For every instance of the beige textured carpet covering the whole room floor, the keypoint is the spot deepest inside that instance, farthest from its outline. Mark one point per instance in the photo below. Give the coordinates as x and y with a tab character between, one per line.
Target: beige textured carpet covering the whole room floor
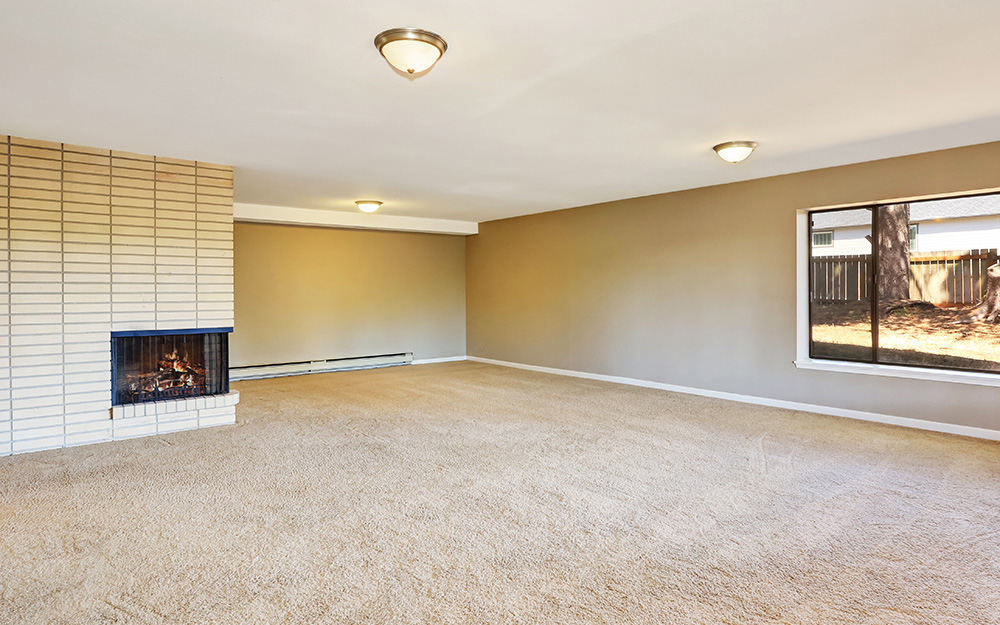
467	493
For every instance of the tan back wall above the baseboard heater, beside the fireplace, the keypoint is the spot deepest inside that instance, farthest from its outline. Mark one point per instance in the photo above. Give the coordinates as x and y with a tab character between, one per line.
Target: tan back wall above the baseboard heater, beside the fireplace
312	293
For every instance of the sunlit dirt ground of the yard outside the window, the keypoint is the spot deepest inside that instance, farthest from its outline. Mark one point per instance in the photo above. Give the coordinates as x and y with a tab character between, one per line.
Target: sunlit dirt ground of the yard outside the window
907	336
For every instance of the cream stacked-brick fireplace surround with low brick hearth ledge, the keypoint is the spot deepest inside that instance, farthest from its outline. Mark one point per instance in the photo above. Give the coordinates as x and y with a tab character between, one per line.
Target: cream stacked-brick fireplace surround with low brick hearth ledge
94	241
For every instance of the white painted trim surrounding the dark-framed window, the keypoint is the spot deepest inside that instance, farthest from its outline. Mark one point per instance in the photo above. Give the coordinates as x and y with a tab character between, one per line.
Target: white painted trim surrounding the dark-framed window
802	359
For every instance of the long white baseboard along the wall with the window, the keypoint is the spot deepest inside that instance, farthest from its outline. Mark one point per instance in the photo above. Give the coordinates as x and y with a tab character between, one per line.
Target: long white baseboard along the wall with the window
933	426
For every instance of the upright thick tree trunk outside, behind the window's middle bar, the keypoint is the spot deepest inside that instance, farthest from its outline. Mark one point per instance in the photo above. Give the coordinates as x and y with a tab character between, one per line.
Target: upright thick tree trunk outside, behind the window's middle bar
893	279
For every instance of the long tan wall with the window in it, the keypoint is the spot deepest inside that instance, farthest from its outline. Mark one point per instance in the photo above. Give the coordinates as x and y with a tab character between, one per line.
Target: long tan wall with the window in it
697	288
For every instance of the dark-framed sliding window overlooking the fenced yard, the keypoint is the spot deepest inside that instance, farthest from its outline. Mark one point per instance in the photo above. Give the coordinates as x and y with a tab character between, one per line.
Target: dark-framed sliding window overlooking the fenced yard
880	301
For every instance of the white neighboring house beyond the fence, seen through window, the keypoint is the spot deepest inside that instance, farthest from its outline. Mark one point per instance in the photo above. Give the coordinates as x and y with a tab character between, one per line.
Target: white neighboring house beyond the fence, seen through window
970	223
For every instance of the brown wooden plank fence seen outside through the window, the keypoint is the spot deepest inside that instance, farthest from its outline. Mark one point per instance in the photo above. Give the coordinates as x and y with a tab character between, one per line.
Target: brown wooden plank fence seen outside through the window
956	278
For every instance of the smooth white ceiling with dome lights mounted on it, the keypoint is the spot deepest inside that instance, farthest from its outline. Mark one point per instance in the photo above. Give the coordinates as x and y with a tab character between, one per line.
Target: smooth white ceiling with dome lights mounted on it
537	105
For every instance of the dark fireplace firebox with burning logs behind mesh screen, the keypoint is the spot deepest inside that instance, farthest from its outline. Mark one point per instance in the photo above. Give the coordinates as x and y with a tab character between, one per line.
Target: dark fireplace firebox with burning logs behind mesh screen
156	365
